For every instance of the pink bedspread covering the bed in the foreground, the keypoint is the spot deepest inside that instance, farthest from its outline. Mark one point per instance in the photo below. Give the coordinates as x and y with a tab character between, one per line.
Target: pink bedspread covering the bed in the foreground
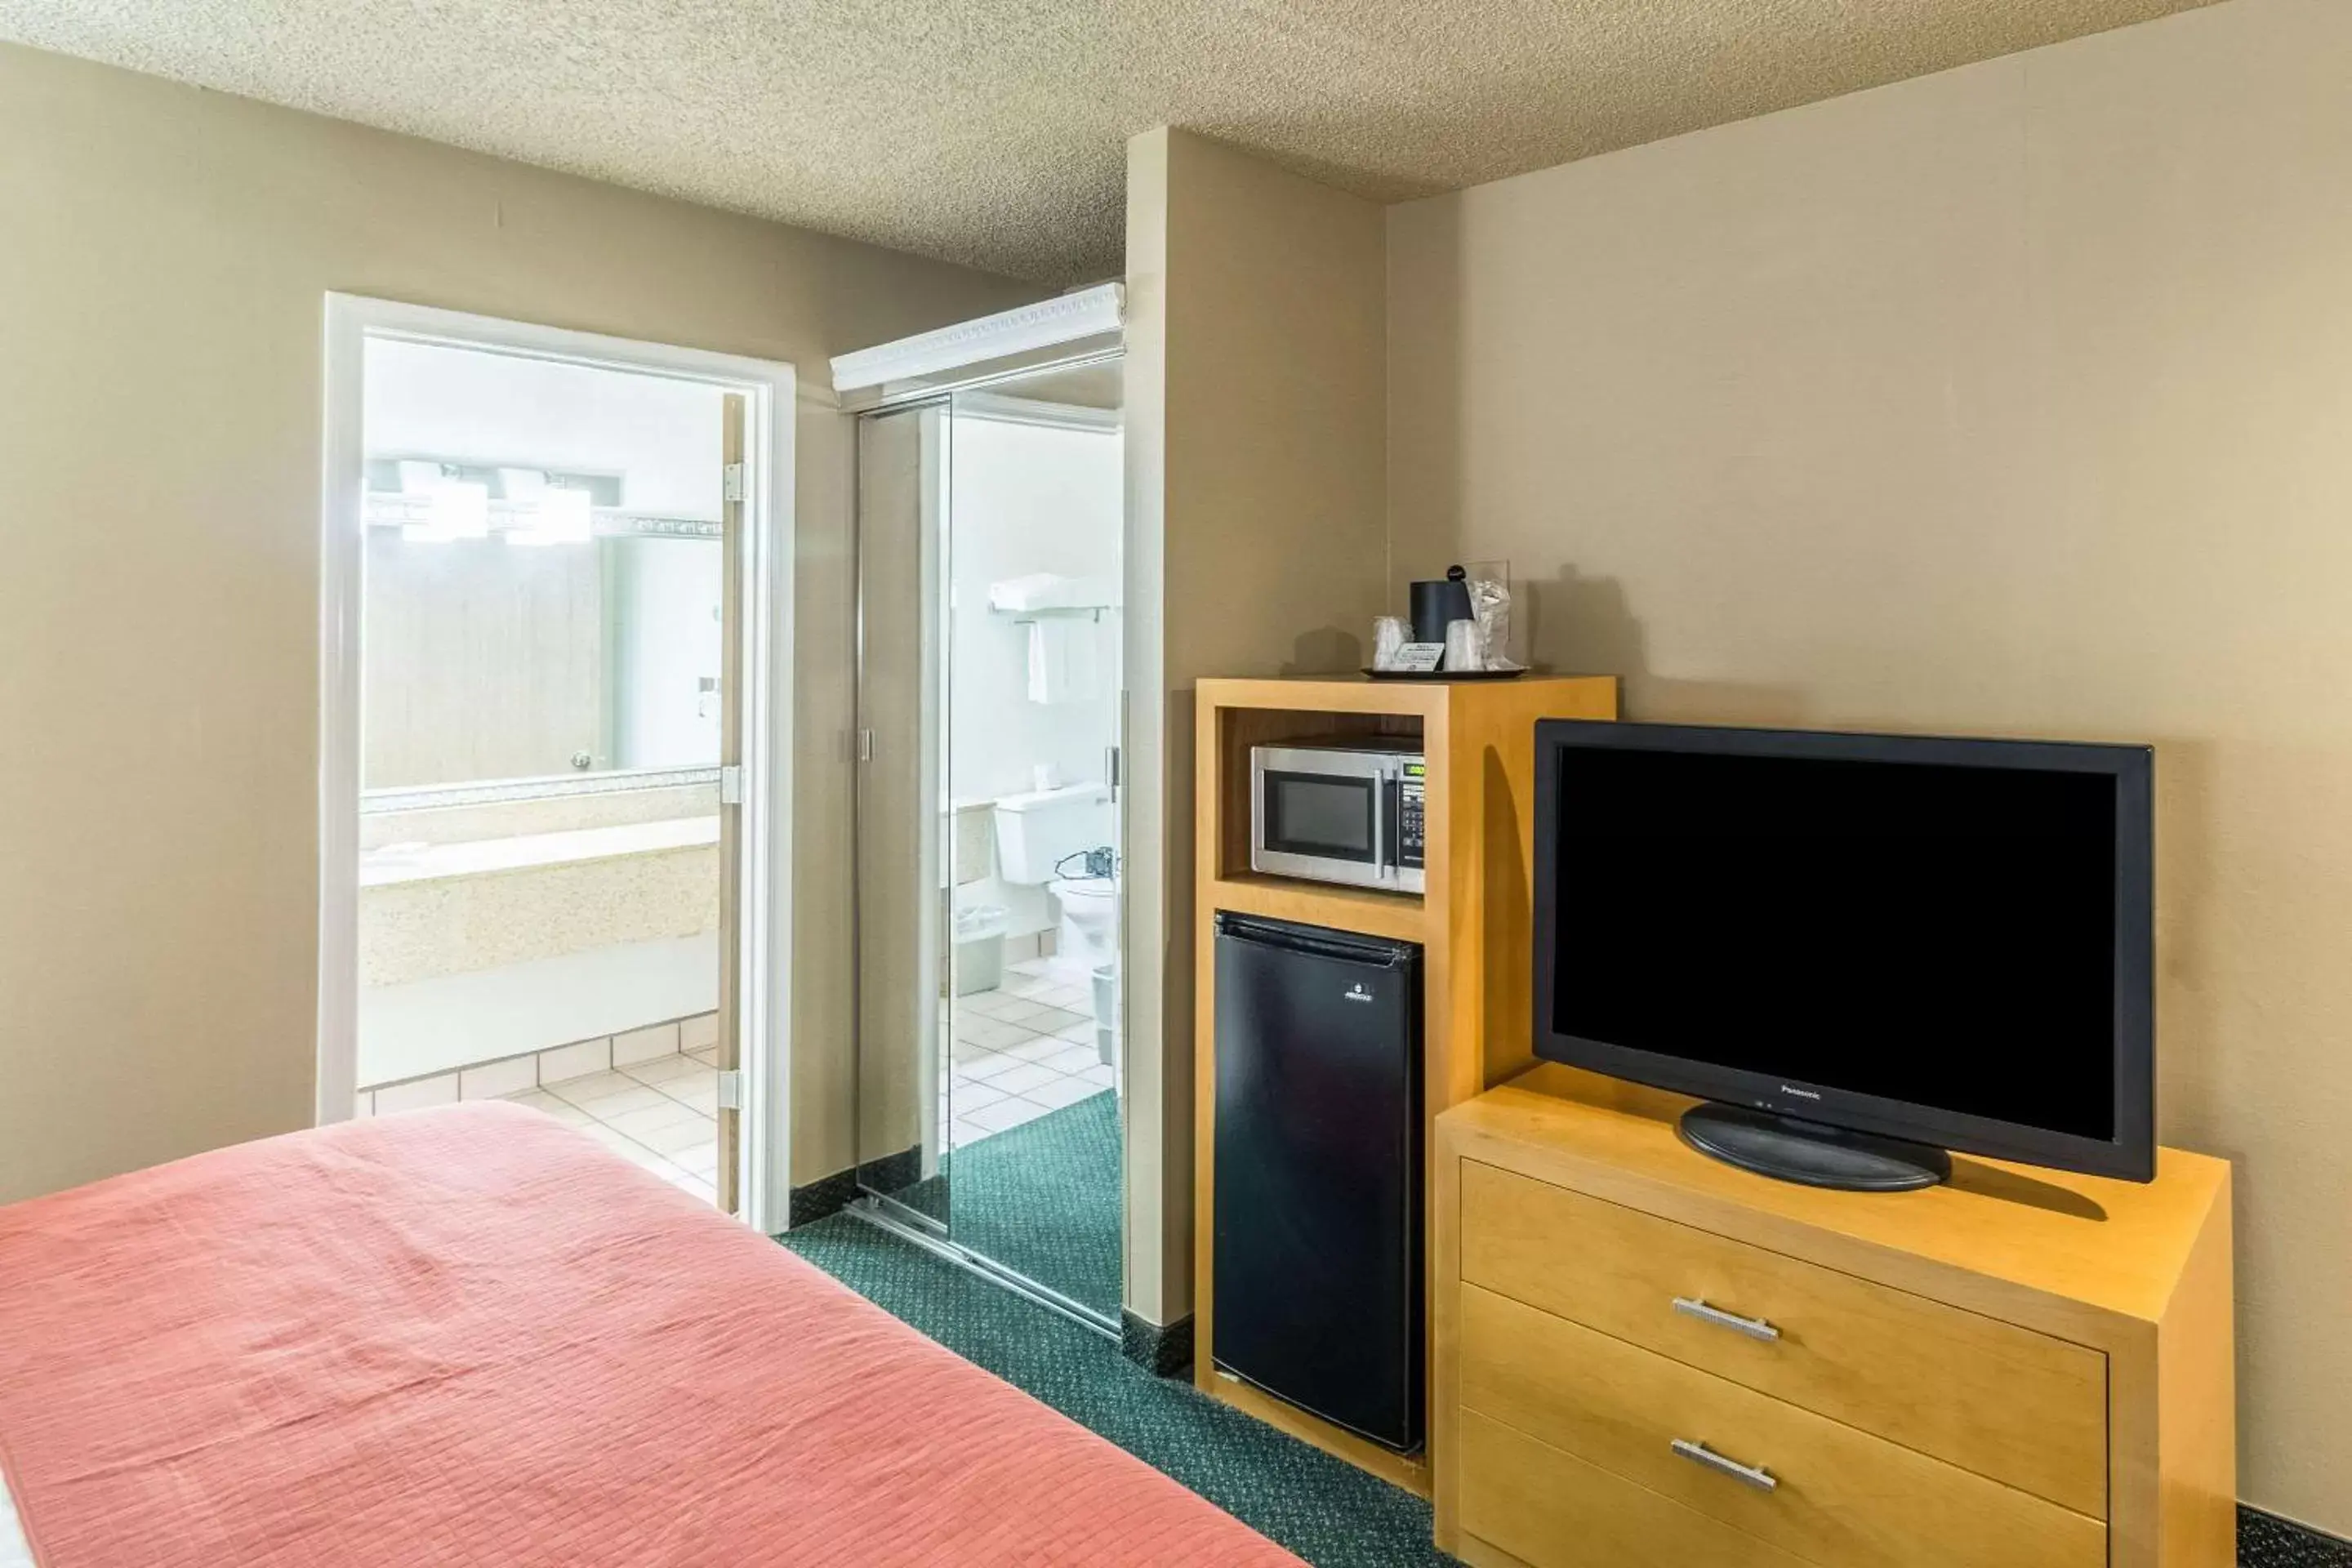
474	1336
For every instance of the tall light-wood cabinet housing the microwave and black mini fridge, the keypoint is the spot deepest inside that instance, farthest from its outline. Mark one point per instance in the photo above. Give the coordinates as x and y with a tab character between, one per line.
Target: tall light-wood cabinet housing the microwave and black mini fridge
1471	923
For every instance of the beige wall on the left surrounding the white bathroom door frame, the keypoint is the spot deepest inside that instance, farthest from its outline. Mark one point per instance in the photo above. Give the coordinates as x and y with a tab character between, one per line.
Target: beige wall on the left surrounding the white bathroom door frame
163	262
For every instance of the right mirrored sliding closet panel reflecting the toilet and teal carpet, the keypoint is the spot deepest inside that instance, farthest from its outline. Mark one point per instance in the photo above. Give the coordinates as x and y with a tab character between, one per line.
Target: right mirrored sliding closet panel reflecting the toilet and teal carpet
1034	629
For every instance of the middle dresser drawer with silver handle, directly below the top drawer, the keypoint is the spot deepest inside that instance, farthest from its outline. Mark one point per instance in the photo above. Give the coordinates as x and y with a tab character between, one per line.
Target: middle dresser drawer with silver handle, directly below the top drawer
1833	1494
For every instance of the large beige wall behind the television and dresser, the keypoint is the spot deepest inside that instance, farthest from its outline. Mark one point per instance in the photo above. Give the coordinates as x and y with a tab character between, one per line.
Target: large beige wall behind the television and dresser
2010	401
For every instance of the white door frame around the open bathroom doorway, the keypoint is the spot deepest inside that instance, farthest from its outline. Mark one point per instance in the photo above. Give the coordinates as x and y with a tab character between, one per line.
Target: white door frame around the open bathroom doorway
766	934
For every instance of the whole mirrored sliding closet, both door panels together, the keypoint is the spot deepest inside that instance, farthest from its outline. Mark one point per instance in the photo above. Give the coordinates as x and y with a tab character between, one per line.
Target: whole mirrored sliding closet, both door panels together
991	525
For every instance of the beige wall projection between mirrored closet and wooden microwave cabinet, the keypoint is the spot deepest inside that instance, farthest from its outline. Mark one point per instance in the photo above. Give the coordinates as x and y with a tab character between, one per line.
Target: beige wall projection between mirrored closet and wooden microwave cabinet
1255	427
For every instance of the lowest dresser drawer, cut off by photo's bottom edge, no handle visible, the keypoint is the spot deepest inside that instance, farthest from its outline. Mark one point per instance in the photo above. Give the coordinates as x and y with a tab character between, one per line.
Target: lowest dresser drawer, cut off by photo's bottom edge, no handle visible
1551	1510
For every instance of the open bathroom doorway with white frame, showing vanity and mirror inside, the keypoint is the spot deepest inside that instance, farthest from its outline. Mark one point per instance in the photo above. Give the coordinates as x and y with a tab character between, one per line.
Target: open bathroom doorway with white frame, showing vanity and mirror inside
549	732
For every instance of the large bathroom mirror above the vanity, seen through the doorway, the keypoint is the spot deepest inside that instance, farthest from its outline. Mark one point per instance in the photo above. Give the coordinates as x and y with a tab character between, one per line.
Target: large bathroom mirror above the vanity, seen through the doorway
542	570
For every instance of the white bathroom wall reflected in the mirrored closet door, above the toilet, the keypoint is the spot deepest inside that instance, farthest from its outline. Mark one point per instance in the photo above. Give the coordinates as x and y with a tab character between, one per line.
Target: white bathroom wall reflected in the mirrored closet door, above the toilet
1029	500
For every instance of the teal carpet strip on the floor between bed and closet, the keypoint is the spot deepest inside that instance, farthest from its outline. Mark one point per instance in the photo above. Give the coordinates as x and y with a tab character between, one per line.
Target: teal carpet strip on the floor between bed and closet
1321	1508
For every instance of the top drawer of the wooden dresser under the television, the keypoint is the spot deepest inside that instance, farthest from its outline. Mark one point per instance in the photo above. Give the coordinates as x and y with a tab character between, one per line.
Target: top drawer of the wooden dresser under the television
1989	1398
